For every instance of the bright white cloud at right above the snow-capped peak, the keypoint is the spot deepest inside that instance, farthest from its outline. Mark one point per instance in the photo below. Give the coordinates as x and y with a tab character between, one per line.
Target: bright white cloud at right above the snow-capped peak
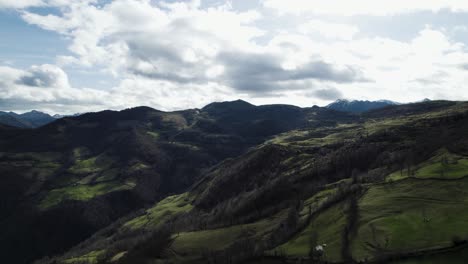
426	66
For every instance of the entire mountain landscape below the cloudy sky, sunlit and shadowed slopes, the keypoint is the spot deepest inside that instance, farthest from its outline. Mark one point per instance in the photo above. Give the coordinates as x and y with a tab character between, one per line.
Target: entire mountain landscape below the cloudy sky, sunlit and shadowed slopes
237	183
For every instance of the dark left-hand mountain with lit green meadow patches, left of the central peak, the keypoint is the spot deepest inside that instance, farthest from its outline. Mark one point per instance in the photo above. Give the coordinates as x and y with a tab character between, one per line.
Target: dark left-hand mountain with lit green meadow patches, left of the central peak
87	171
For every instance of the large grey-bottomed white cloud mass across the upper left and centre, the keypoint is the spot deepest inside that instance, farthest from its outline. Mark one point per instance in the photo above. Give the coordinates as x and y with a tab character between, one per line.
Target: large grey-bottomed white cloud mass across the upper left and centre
185	44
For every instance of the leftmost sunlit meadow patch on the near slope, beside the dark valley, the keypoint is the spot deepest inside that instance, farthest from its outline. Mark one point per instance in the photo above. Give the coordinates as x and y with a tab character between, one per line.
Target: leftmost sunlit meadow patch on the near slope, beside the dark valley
161	212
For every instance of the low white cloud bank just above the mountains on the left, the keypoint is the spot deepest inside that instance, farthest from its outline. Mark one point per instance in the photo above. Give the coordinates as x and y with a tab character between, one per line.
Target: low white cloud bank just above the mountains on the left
46	88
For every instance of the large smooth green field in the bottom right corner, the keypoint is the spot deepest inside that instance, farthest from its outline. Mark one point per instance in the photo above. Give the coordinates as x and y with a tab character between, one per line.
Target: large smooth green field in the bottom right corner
411	215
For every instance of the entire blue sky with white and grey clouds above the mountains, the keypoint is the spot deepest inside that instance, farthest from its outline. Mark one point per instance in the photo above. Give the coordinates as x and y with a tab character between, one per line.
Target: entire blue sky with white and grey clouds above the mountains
74	56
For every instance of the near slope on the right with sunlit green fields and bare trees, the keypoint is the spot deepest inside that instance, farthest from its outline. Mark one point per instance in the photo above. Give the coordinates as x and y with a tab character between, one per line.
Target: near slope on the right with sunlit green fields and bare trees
319	185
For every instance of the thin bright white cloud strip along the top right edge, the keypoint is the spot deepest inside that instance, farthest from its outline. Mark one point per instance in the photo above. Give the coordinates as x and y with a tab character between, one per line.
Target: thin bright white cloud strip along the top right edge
364	7
